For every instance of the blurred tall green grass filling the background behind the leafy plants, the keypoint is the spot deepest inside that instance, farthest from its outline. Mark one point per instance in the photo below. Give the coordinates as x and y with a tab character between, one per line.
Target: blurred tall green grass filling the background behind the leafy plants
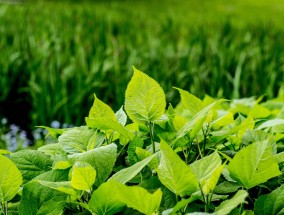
54	55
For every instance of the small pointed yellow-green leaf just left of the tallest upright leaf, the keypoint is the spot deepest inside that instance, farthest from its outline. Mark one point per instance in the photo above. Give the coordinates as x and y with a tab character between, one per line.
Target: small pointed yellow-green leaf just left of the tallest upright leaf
101	110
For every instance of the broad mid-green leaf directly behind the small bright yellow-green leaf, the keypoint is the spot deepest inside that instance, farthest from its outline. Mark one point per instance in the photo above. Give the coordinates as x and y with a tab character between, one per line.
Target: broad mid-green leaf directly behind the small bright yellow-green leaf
102	159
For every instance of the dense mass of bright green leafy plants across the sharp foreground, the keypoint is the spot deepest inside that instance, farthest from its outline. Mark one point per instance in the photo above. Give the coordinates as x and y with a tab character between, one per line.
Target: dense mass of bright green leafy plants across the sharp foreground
210	156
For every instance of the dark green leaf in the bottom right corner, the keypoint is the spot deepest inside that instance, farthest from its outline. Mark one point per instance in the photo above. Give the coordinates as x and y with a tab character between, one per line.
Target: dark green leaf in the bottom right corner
271	203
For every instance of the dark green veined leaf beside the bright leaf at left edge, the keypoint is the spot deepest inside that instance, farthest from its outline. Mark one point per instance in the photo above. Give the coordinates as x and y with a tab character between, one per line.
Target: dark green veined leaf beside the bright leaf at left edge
31	163
